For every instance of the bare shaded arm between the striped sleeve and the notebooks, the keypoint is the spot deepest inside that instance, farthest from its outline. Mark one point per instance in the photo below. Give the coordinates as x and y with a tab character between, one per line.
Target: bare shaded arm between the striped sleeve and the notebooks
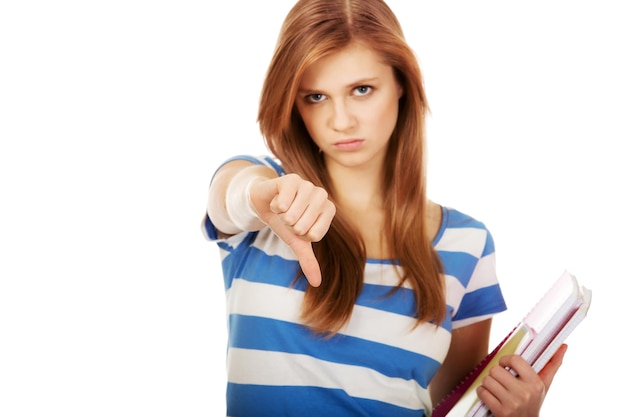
469	345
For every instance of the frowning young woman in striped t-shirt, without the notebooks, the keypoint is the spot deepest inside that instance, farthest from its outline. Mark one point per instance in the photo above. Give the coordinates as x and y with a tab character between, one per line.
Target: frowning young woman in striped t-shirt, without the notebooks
349	293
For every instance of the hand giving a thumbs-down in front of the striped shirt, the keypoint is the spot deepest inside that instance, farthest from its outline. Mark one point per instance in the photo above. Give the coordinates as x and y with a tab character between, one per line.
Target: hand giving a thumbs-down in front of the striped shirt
299	213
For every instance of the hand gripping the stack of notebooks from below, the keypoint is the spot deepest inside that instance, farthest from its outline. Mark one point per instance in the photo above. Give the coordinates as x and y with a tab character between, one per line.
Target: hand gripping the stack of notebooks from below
507	395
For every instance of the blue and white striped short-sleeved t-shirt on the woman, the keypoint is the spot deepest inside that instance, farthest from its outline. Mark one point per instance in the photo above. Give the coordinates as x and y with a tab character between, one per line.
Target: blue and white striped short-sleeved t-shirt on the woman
378	364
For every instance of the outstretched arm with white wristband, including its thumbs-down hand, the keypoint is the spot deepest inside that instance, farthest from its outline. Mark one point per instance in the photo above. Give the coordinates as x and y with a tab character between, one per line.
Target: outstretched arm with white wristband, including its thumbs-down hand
246	197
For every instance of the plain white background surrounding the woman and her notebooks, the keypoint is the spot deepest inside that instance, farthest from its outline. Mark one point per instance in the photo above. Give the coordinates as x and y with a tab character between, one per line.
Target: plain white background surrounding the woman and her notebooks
113	116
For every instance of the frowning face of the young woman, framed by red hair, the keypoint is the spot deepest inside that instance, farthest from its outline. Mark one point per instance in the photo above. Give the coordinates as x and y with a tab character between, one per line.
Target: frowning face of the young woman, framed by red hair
349	104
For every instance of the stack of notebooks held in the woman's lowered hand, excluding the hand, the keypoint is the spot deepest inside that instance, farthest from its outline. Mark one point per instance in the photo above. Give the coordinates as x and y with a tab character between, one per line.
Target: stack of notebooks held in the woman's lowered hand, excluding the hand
536	338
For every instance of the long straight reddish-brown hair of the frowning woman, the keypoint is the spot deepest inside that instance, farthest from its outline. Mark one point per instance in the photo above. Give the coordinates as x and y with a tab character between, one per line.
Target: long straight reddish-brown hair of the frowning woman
314	29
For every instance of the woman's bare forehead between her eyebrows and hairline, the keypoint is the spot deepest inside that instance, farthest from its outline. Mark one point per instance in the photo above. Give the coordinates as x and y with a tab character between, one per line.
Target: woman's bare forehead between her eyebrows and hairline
348	65
